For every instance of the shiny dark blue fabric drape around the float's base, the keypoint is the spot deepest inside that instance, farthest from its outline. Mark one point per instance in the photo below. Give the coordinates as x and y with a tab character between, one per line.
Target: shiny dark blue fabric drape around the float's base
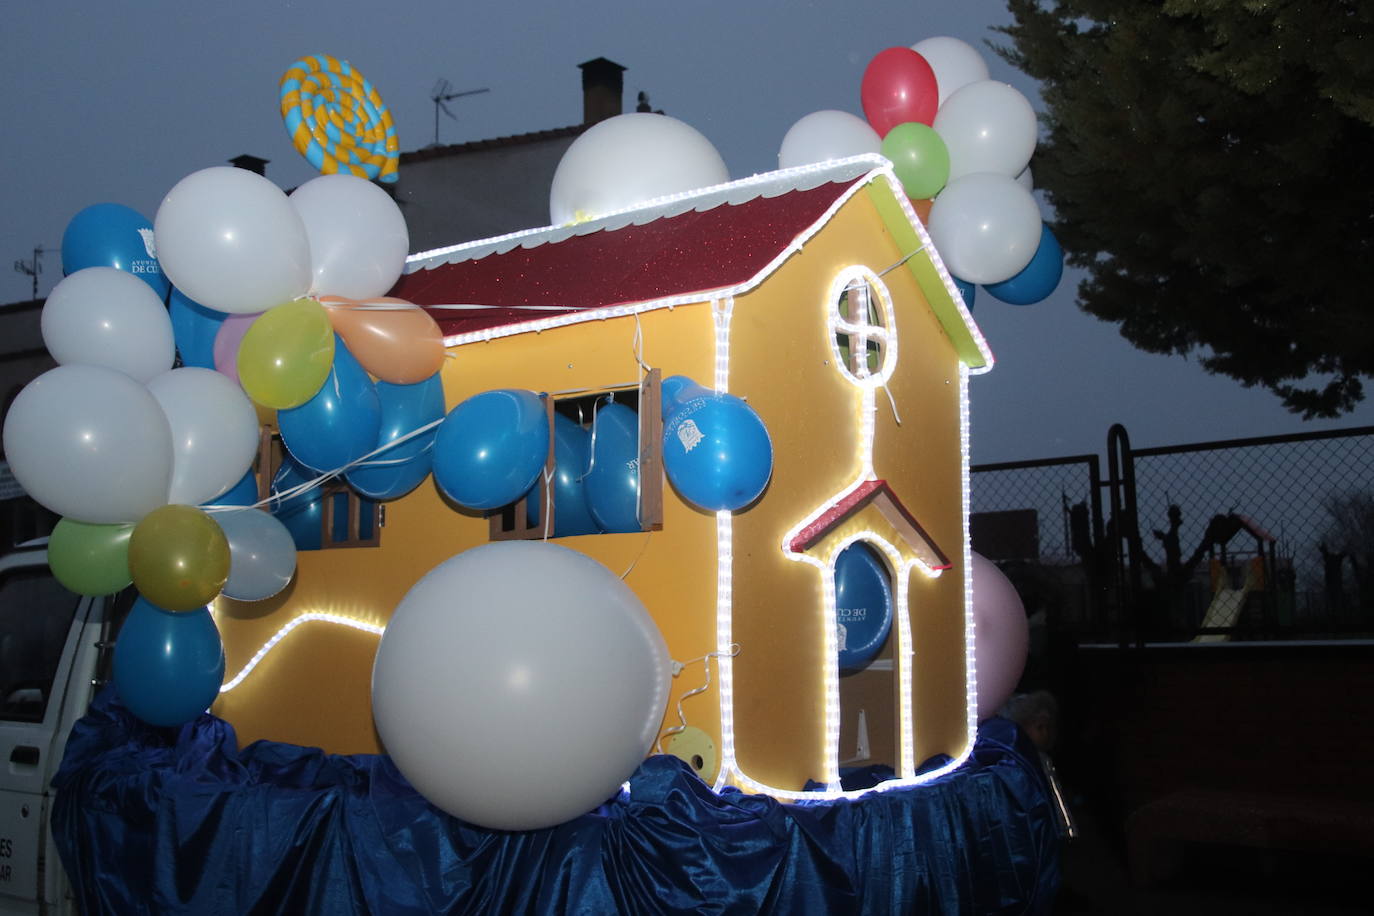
183	822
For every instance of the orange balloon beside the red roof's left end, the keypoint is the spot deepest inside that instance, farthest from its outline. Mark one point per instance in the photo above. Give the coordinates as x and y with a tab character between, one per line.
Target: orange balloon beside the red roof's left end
394	340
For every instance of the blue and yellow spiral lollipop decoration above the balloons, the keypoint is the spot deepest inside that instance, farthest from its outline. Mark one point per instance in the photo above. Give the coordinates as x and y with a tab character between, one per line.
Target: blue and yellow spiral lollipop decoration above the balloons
337	120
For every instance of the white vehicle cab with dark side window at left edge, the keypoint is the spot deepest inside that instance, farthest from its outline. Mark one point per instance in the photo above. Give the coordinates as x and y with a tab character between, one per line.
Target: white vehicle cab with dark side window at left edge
53	659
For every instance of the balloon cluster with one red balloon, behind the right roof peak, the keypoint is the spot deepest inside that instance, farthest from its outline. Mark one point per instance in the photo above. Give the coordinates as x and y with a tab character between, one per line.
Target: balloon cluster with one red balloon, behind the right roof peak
961	145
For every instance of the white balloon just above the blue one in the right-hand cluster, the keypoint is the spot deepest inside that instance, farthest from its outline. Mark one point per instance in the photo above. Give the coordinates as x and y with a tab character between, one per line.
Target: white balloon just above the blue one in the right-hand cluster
986	227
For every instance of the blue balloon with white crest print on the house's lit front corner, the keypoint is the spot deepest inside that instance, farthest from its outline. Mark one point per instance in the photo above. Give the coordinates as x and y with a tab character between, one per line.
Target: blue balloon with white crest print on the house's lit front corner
717	450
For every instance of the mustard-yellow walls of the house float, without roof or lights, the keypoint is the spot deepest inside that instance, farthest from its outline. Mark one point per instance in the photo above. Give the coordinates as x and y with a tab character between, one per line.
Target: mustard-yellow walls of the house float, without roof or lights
315	687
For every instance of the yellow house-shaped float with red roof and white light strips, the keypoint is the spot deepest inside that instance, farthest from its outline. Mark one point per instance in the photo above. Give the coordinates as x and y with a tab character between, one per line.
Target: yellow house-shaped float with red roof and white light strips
817	297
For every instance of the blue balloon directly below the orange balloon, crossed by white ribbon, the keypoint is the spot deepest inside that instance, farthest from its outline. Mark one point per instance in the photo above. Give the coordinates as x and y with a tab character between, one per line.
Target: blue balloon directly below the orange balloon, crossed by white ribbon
403	468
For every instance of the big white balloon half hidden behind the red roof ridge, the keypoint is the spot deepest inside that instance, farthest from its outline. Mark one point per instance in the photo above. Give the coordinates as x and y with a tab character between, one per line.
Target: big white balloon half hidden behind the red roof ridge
629	160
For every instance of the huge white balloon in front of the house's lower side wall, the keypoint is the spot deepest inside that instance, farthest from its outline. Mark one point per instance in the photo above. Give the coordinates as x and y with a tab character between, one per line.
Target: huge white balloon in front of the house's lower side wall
519	685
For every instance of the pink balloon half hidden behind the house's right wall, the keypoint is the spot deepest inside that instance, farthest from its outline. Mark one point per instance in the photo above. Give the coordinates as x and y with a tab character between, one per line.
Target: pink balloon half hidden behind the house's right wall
1001	637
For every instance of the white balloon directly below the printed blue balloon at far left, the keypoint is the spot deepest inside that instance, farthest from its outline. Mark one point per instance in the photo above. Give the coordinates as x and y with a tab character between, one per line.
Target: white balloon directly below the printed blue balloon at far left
104	317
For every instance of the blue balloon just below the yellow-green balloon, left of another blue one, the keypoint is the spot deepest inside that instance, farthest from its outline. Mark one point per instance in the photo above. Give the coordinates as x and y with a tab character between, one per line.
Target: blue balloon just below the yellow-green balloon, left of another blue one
341	424
